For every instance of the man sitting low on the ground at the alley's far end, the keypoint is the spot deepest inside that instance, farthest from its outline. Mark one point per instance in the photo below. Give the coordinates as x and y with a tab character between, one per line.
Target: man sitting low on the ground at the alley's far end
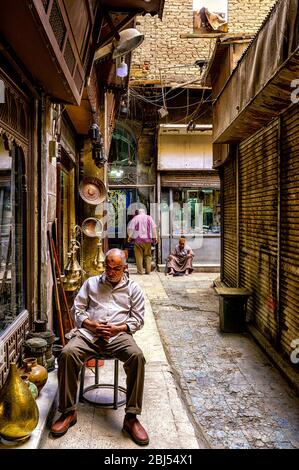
180	260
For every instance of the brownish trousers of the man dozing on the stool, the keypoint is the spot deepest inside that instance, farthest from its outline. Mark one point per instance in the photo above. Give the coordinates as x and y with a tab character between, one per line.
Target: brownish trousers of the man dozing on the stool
79	349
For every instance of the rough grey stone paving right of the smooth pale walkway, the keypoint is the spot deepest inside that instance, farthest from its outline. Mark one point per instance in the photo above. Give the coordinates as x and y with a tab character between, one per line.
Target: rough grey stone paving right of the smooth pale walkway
234	394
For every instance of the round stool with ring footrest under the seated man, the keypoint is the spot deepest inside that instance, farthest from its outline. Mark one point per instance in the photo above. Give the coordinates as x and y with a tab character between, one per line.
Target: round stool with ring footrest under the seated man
117	389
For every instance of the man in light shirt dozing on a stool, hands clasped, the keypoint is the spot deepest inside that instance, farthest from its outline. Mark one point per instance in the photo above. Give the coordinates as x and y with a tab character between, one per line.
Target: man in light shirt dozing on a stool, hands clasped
108	310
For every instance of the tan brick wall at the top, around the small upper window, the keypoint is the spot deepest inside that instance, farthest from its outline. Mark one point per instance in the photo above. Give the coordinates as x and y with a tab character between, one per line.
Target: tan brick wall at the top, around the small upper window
163	47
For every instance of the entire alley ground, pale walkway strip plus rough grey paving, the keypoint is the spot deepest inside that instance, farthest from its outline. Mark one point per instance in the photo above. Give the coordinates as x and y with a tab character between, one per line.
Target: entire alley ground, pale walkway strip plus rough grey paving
233	395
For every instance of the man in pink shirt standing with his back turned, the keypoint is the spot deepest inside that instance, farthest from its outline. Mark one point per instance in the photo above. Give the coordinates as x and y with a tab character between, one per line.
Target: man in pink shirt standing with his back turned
143	231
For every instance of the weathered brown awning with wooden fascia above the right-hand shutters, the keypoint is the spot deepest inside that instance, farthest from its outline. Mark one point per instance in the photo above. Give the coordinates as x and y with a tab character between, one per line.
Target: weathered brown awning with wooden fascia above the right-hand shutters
260	88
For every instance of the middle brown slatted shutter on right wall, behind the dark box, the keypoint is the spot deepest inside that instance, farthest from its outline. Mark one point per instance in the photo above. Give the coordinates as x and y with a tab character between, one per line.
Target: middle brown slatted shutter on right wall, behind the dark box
258	216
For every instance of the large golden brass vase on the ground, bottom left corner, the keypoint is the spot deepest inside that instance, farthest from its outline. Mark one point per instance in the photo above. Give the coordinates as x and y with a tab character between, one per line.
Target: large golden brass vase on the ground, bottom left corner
18	410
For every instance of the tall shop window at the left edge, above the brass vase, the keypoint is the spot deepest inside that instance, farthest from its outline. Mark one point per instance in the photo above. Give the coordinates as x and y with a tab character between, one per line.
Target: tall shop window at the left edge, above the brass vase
12	234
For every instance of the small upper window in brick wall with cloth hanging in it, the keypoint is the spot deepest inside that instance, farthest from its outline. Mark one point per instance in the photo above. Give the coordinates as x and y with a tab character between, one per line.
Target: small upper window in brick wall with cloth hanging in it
210	16
